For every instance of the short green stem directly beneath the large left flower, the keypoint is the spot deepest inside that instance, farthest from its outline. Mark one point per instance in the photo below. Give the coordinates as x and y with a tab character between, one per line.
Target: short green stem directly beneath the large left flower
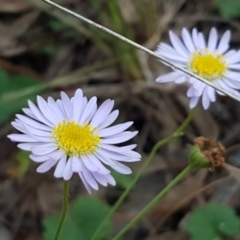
64	209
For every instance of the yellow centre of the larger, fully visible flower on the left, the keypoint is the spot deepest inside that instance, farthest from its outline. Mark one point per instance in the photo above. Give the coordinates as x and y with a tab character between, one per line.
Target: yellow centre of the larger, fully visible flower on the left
74	139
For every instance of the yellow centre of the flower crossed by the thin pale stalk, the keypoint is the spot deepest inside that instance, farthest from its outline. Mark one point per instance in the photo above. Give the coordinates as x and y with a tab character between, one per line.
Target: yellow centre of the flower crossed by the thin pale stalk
208	66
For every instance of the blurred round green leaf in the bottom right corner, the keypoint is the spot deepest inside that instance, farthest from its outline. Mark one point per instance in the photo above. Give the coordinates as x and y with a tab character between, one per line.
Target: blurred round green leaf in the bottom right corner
212	222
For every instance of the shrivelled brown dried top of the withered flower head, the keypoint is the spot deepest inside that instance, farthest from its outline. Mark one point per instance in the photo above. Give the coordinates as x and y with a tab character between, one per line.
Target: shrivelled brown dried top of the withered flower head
213	151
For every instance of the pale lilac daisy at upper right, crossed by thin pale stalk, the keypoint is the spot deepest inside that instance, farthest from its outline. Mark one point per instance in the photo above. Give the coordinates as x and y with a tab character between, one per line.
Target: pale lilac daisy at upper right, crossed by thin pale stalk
209	59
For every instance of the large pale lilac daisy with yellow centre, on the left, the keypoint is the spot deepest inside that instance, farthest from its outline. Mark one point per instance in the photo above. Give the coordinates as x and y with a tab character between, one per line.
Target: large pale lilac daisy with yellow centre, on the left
73	134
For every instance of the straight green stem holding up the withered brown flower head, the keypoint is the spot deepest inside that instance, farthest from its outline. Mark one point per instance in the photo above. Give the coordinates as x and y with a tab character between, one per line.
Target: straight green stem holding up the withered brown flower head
173	183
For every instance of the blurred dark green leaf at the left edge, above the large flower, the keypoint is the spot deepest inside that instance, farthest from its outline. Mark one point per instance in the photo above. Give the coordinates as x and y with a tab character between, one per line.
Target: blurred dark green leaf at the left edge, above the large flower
15	91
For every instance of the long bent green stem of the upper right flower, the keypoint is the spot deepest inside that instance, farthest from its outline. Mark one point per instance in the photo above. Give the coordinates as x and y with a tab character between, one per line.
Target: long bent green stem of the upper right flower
156	147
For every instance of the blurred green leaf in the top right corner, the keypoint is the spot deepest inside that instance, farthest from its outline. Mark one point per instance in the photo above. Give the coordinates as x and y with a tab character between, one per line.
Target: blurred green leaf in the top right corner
228	8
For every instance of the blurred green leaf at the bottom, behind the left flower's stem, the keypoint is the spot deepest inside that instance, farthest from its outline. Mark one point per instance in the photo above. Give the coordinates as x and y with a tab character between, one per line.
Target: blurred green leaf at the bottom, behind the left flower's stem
82	220
